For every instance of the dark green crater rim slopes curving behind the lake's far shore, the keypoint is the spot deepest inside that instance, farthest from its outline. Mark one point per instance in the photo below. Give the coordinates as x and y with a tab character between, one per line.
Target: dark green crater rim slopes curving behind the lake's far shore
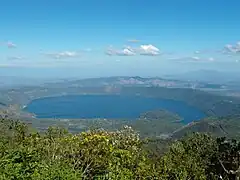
210	103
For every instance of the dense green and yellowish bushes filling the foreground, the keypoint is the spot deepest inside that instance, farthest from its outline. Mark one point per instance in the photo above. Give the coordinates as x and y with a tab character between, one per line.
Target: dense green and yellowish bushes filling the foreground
57	154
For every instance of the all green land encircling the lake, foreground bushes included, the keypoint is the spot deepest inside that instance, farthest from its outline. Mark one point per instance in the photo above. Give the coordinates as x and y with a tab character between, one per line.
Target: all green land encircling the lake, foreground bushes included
117	149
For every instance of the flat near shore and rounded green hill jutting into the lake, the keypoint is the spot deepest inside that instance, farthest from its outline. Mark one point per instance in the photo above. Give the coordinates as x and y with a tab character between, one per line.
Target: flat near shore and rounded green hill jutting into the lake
155	123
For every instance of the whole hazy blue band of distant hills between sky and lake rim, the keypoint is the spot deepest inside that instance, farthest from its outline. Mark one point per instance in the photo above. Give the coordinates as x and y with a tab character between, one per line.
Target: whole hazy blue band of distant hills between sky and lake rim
186	80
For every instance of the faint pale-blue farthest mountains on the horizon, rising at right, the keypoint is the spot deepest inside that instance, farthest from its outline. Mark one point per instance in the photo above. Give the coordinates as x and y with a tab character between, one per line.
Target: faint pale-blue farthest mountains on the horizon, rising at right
204	76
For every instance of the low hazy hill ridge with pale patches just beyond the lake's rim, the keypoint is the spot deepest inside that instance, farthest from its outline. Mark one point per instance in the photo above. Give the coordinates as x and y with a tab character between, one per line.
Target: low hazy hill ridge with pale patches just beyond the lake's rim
135	81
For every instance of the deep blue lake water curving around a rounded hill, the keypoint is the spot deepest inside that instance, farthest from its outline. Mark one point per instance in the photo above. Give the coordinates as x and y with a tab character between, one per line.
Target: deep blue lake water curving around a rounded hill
108	106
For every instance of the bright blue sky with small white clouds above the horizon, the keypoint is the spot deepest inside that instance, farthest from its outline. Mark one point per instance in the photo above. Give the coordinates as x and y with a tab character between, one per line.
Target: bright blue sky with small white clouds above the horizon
88	38
